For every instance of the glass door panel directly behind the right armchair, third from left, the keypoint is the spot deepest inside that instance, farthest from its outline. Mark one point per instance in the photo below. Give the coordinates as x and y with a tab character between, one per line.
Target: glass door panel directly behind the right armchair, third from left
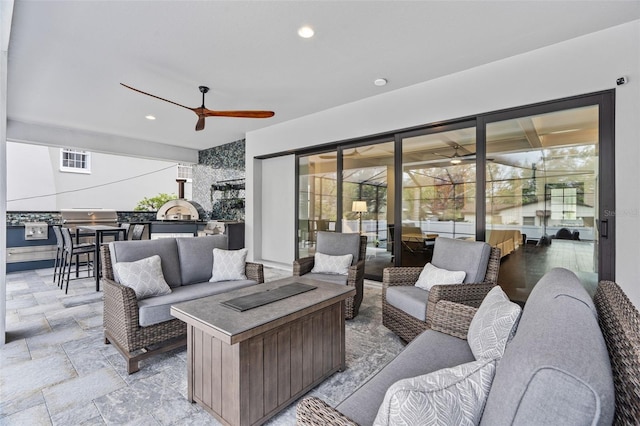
438	191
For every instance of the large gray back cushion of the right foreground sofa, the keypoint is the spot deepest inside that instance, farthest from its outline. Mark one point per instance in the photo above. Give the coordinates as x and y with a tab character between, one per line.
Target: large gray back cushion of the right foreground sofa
556	370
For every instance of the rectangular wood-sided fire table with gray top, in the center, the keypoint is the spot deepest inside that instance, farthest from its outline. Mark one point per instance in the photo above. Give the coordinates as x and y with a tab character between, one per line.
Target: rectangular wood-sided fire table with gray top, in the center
244	367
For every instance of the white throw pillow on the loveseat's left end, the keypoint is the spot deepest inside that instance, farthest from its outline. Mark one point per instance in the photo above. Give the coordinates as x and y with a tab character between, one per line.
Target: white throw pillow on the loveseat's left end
144	276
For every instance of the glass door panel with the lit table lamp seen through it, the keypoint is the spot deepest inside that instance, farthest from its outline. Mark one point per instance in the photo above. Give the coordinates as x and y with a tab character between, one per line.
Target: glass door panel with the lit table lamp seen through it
367	201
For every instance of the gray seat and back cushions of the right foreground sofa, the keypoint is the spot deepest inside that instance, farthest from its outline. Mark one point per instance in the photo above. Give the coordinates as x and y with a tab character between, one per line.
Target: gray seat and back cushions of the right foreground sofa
555	371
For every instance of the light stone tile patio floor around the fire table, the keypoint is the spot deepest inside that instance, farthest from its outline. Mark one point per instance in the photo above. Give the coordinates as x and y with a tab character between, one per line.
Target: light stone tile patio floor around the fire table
56	370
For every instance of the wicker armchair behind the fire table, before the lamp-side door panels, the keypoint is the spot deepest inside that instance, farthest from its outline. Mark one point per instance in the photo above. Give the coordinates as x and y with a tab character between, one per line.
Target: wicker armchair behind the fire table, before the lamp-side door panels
355	277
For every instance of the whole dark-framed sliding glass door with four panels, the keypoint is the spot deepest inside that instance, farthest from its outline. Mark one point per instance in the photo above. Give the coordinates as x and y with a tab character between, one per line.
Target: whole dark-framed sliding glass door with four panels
536	182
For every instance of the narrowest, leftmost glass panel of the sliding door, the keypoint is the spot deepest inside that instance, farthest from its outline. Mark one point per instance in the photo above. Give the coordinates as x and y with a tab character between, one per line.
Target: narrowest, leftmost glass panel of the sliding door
317	198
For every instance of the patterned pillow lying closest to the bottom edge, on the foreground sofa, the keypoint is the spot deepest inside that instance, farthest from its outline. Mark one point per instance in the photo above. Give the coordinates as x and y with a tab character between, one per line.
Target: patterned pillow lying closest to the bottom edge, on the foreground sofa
451	396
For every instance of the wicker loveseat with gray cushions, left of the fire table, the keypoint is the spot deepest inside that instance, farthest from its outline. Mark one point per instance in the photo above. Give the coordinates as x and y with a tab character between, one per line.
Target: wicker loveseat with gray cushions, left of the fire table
143	328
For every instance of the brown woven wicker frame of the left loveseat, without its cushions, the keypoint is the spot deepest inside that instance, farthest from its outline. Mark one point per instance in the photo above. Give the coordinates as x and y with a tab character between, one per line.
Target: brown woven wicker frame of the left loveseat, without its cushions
121	318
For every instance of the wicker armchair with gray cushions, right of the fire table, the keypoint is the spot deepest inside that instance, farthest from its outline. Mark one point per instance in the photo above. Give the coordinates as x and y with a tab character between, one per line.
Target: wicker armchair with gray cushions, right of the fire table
407	326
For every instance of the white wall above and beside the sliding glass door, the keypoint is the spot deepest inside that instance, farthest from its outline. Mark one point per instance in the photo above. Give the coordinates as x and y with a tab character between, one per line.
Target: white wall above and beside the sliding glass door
583	65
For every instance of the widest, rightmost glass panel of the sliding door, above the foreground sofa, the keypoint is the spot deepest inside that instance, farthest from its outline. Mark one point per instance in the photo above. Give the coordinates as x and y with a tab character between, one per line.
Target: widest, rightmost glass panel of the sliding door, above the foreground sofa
542	196
